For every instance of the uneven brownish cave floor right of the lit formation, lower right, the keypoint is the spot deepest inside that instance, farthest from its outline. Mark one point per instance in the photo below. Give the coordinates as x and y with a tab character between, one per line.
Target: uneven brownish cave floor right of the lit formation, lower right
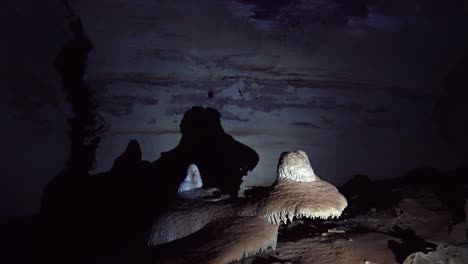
364	238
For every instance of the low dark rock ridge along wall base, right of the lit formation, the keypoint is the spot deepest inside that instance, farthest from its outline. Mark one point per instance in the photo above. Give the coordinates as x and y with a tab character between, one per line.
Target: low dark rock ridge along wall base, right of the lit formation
450	187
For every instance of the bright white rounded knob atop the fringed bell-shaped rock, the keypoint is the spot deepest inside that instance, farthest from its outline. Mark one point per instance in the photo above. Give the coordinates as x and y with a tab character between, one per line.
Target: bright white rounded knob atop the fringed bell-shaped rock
295	166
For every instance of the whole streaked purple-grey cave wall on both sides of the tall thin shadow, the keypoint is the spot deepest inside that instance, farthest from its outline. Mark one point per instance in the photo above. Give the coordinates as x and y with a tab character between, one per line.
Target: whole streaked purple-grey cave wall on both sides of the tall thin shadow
352	84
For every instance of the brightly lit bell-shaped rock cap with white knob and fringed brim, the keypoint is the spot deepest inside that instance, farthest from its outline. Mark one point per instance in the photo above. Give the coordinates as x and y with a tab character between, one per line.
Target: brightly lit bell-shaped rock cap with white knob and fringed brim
299	193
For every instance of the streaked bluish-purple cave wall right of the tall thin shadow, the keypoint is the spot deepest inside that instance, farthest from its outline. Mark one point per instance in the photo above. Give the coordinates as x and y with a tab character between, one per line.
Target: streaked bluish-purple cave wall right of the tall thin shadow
356	93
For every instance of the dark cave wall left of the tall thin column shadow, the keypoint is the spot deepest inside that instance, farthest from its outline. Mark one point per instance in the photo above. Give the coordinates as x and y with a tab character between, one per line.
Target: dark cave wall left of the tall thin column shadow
33	107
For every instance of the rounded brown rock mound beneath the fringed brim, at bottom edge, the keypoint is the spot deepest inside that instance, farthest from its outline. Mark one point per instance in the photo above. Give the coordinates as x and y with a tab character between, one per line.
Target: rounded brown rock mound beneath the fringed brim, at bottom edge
223	241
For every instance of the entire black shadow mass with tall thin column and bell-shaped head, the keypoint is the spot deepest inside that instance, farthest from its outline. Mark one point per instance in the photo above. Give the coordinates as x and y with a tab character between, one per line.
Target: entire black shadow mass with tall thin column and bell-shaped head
89	216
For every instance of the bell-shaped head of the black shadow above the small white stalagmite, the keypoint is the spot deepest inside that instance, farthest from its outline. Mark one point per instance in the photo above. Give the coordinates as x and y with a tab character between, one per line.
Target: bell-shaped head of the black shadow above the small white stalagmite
221	159
